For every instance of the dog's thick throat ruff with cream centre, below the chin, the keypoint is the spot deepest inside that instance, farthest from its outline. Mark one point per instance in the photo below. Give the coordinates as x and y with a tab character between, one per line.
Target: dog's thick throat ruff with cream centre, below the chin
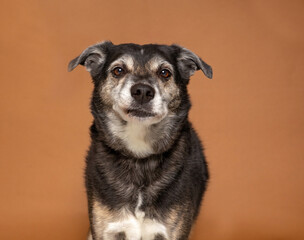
135	138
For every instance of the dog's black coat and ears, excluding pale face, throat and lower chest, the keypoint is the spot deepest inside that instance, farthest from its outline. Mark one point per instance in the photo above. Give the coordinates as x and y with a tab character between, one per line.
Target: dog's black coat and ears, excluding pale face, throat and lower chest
175	176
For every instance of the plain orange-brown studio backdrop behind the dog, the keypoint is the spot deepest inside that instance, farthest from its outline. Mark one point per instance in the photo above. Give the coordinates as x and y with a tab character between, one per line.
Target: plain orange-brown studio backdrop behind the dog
250	116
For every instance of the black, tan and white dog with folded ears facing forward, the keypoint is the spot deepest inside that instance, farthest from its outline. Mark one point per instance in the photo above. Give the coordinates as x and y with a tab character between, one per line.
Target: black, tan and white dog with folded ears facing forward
145	170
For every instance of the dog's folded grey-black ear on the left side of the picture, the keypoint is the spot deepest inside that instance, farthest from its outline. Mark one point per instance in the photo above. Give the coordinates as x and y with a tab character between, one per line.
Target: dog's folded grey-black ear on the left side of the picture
92	58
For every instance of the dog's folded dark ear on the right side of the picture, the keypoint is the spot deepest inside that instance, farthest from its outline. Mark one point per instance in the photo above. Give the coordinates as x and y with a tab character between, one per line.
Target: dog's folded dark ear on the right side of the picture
188	63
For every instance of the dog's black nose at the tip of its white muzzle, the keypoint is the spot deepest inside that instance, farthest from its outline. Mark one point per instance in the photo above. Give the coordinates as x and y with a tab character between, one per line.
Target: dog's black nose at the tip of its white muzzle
142	93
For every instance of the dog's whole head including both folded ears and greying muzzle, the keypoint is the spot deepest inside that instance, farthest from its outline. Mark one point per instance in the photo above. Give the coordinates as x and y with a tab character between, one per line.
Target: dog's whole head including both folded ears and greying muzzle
140	85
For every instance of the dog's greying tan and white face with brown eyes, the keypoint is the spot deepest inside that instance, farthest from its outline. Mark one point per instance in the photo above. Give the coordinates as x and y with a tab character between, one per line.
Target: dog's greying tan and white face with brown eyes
140	87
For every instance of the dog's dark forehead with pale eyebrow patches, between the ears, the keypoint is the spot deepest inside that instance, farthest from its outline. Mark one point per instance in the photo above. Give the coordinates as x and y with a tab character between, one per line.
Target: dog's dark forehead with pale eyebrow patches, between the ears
133	55
